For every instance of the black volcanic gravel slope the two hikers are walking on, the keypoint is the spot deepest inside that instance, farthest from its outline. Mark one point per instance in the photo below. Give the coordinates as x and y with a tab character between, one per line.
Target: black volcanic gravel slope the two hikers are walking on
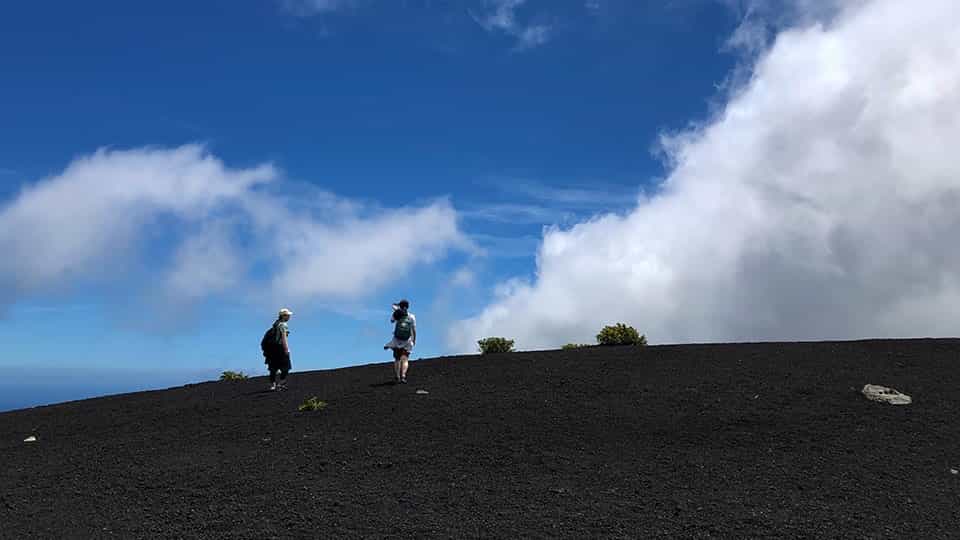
695	441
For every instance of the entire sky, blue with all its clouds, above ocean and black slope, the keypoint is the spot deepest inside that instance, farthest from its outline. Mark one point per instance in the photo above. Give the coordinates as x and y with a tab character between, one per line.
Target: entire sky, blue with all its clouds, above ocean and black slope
706	170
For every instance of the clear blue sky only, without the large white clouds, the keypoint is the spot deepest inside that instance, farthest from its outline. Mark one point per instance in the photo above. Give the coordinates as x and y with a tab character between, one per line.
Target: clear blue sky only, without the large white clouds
375	103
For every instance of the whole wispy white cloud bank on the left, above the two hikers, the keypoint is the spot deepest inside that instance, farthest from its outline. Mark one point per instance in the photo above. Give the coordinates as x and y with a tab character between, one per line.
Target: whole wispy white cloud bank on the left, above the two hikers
114	210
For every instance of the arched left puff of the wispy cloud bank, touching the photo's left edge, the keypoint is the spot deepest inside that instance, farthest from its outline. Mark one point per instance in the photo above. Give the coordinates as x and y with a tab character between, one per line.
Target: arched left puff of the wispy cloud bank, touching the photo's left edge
66	226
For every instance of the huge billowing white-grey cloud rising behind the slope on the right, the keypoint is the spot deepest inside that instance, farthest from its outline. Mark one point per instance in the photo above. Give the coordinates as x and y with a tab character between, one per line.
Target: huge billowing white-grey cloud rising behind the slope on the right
820	203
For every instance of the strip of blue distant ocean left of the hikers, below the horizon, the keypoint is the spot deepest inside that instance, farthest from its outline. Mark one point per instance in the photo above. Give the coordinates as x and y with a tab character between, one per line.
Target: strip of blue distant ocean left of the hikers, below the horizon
22	387
